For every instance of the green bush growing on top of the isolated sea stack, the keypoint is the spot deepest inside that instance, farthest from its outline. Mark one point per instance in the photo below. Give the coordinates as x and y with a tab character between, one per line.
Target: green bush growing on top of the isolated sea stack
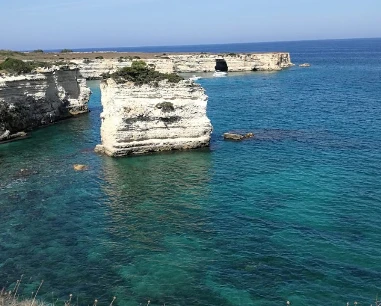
139	73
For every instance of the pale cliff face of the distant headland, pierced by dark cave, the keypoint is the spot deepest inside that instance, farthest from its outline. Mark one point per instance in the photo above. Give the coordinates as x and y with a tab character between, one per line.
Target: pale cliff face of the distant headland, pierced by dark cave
193	63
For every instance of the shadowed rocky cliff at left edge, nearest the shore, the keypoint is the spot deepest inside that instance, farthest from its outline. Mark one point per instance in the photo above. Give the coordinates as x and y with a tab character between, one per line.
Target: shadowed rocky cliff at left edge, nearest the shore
32	100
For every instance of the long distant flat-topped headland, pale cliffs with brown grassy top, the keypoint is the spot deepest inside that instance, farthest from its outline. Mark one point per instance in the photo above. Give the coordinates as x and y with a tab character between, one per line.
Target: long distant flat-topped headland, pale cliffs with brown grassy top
93	64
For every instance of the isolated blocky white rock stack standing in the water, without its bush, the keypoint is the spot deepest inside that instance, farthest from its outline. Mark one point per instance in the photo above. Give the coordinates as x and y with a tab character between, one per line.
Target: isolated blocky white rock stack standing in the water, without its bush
142	119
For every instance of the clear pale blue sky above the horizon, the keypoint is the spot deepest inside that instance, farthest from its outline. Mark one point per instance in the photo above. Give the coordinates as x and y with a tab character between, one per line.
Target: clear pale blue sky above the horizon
58	24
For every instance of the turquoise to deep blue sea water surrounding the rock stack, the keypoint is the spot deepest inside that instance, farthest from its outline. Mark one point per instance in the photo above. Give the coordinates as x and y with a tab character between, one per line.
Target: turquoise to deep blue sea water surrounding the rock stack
293	214
